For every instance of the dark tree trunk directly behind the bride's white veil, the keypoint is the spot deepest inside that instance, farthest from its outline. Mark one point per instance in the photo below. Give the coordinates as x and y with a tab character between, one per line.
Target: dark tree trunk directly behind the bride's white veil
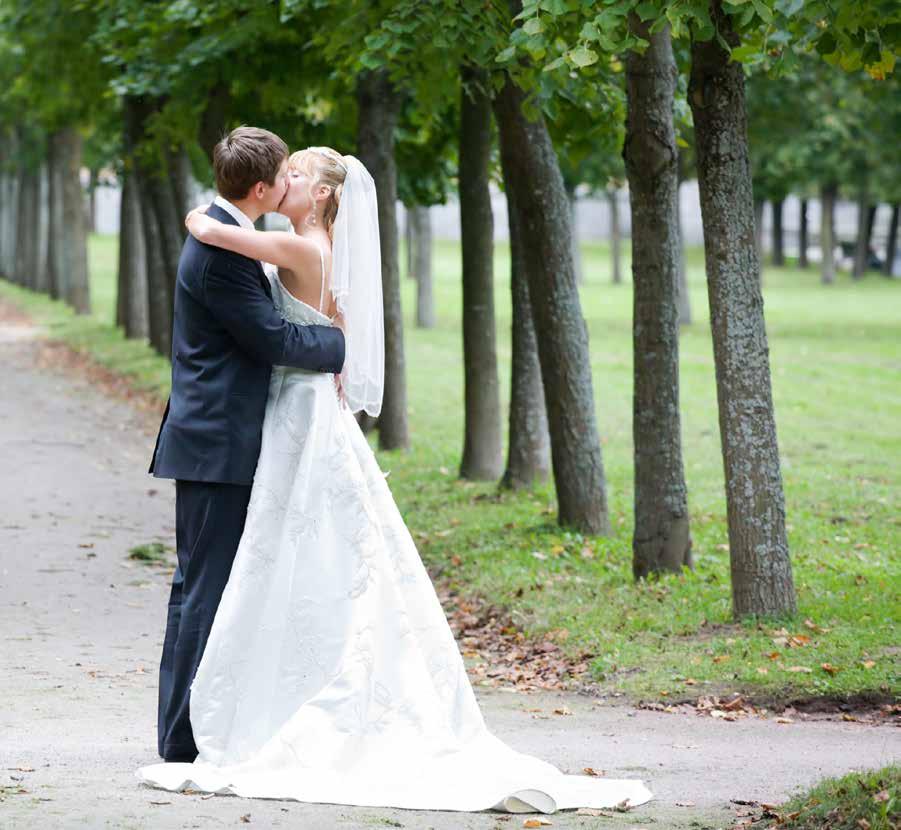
378	107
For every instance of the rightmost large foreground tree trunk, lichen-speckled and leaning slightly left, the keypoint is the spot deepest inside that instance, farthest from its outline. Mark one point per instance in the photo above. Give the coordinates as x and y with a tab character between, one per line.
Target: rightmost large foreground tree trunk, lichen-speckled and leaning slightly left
761	569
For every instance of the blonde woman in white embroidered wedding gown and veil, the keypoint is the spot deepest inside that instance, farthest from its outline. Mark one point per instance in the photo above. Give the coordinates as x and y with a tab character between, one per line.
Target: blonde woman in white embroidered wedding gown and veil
331	674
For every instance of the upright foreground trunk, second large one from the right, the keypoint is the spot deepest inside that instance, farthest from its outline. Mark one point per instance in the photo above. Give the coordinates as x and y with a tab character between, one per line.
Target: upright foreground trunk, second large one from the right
661	539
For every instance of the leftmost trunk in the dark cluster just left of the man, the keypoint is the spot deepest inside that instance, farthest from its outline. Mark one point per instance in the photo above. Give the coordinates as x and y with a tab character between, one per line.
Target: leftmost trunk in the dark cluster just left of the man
131	308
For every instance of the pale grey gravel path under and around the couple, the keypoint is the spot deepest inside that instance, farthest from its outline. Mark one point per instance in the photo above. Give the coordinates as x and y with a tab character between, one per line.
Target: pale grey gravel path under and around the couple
82	628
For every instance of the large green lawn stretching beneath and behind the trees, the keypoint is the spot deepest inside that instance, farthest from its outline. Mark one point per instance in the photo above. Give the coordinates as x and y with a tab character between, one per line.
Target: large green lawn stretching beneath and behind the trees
836	356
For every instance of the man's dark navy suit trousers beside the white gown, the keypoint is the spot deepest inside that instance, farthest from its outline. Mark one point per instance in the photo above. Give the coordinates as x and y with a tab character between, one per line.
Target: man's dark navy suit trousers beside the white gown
209	521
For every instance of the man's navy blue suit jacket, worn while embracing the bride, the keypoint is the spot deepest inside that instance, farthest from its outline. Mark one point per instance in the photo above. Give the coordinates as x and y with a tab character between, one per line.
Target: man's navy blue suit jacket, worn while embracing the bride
226	336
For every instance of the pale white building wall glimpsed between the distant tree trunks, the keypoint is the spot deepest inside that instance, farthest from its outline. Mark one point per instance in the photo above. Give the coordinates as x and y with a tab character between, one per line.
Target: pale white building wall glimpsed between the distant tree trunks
593	219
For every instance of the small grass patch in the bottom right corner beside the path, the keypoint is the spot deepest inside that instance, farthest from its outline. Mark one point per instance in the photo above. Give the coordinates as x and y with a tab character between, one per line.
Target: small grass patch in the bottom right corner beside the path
869	799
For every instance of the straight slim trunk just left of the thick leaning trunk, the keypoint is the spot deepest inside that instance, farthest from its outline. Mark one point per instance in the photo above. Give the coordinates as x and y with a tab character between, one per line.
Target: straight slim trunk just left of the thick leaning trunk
482	445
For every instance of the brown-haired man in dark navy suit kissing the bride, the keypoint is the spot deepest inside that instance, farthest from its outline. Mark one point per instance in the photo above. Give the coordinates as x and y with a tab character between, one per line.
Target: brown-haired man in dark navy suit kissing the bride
226	336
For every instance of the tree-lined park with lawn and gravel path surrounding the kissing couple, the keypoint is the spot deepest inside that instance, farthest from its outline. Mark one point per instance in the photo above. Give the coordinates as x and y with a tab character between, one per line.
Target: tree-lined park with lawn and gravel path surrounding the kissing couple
642	348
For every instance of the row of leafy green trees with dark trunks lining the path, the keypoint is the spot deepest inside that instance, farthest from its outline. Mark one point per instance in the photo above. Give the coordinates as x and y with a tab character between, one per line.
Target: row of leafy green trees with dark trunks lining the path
432	94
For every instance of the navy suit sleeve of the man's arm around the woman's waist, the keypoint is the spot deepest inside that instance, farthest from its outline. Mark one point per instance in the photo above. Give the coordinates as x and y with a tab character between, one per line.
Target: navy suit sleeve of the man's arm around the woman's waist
233	293
